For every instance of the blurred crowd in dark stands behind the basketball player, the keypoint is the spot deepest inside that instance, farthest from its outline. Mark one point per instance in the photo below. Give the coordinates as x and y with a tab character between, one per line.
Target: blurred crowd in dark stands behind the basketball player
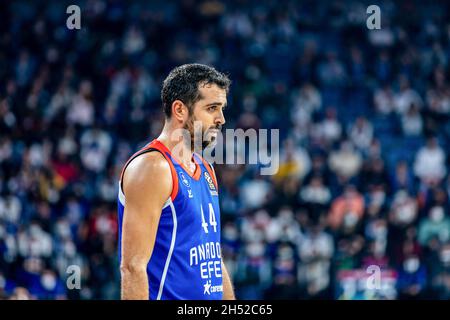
364	128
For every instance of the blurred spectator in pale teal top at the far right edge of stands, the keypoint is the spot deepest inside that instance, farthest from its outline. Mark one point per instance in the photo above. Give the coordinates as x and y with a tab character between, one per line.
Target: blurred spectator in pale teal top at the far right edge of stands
436	225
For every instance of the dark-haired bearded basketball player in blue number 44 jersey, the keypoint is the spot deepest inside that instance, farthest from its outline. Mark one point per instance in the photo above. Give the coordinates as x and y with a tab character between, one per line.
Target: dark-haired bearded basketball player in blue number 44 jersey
169	219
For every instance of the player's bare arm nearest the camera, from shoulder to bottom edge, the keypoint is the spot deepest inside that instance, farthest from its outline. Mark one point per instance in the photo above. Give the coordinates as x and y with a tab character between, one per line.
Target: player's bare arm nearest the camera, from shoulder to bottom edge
147	184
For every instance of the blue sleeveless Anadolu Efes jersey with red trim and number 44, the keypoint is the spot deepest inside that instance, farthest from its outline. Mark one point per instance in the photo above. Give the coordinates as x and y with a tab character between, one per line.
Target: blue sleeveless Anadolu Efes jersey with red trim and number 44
186	259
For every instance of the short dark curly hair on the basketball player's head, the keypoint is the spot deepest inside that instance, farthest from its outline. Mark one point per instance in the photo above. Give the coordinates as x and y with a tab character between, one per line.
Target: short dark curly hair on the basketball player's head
183	82
